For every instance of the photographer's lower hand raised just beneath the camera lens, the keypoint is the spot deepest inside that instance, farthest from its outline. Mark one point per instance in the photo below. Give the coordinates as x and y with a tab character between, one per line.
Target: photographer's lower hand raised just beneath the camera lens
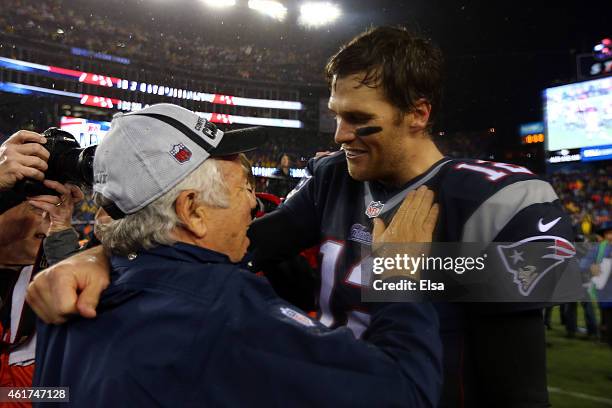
60	208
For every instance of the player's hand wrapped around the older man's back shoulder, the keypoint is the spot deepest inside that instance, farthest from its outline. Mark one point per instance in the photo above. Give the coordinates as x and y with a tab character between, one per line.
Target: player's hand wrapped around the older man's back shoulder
70	287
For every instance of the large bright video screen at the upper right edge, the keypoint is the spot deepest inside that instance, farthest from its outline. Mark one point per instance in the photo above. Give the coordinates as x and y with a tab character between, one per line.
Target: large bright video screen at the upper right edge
579	116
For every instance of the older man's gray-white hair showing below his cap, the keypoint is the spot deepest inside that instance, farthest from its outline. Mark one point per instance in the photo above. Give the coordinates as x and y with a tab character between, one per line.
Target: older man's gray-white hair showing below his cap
153	225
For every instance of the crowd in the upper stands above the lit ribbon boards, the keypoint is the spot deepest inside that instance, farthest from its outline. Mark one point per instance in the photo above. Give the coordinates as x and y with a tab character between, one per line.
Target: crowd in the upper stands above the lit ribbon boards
46	21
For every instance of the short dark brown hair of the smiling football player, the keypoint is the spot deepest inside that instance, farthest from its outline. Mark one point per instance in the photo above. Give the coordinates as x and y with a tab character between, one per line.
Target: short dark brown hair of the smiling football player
407	67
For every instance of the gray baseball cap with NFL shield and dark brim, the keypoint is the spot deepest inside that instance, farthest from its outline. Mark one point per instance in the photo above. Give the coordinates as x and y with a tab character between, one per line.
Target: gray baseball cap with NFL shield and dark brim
149	151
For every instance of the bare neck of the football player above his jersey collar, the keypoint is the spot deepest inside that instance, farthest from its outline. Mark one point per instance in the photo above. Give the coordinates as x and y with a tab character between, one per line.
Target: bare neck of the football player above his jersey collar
417	162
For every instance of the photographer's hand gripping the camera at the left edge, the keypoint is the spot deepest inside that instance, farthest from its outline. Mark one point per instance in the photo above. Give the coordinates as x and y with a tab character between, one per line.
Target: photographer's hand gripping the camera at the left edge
21	156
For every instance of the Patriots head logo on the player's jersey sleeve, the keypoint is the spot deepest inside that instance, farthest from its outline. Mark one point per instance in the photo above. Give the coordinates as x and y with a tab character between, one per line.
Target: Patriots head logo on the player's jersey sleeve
531	258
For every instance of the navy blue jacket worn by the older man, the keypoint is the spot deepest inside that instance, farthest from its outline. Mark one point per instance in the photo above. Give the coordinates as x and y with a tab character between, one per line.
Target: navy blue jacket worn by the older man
181	326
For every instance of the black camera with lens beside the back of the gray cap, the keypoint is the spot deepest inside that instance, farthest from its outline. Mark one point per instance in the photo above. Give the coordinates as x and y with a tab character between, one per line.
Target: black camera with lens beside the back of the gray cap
68	163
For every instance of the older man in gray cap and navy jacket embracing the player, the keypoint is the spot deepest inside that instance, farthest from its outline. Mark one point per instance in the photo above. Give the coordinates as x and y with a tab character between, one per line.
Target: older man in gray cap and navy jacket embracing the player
181	324
